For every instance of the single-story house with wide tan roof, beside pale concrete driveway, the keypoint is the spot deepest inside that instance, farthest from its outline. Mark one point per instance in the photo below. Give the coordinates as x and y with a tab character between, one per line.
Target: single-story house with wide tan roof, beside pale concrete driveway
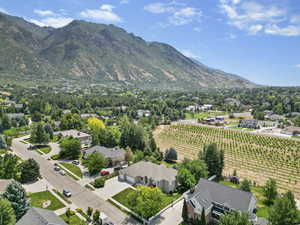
150	174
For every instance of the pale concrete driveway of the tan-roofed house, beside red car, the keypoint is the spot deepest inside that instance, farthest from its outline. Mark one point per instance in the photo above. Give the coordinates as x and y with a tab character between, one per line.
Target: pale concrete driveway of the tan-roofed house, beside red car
112	187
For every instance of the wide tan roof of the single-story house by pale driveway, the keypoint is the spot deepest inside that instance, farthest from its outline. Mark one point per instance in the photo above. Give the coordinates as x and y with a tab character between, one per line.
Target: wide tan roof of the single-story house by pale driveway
151	170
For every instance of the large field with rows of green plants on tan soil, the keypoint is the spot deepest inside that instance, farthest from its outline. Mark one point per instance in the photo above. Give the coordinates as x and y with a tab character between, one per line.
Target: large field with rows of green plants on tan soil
254	156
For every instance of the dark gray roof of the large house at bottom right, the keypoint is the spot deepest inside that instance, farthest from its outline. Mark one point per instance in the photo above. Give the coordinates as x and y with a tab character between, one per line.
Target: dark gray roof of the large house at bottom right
208	192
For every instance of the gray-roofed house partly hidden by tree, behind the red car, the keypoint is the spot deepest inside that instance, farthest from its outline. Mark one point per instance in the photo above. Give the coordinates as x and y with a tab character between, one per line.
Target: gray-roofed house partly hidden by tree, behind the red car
114	156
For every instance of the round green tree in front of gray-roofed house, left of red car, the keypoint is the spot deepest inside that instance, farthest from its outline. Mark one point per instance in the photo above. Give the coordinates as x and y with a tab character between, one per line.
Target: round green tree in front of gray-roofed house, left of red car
95	163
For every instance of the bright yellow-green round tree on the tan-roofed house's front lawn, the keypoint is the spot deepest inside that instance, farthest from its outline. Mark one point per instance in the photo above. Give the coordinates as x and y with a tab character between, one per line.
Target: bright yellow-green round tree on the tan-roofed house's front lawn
146	201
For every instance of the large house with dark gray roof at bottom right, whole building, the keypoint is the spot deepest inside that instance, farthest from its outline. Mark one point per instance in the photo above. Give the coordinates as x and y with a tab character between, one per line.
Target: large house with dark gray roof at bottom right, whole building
217	199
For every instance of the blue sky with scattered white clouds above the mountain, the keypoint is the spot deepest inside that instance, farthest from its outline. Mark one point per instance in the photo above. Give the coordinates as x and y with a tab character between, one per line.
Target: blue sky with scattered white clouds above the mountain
257	39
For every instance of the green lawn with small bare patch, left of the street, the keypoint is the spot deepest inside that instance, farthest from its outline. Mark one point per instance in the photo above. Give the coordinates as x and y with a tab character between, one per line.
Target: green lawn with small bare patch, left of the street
37	199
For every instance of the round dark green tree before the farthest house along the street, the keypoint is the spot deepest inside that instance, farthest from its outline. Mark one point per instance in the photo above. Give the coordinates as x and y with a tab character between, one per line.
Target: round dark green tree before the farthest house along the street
70	148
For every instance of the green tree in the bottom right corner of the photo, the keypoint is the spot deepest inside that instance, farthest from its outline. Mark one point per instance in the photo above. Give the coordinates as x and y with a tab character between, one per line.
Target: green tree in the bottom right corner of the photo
284	211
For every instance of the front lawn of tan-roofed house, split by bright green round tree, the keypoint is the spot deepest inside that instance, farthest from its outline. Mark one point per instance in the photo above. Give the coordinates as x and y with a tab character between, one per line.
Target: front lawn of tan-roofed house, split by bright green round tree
122	198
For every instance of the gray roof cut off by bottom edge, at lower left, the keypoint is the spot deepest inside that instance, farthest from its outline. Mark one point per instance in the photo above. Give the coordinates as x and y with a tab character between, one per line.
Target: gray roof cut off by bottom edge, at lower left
38	216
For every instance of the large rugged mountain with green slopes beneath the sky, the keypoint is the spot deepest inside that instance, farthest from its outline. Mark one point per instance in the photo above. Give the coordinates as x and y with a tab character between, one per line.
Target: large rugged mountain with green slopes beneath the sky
100	53
